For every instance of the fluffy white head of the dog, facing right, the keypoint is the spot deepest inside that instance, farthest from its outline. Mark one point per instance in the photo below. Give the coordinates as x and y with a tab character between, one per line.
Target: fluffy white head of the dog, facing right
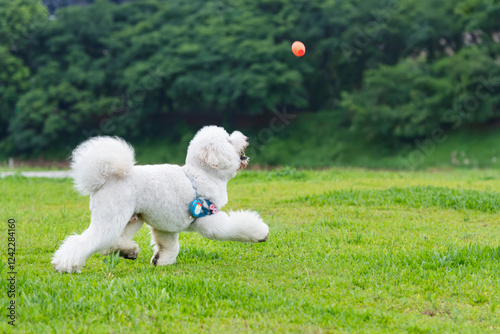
213	148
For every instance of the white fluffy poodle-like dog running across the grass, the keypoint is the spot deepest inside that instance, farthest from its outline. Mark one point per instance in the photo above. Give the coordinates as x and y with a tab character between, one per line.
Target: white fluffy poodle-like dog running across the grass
169	198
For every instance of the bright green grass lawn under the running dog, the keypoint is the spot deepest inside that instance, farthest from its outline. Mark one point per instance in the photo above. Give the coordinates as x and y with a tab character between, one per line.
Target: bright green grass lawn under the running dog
349	251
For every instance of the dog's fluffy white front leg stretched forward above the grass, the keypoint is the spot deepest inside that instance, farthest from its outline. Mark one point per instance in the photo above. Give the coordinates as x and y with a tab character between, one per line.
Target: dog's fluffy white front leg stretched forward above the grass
243	226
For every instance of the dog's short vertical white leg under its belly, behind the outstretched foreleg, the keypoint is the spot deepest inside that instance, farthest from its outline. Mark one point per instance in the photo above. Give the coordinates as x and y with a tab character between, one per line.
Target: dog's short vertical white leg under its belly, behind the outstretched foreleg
166	247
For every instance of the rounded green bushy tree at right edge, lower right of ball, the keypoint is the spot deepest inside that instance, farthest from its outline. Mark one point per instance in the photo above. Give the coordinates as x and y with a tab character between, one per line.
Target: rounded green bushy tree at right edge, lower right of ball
411	99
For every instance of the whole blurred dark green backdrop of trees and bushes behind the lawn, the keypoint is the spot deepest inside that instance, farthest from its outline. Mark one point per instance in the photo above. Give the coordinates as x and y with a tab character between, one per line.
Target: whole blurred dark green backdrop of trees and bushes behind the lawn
384	83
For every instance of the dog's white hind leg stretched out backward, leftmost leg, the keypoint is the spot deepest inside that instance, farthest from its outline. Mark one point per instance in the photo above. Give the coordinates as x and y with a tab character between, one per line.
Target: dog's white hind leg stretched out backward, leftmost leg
106	227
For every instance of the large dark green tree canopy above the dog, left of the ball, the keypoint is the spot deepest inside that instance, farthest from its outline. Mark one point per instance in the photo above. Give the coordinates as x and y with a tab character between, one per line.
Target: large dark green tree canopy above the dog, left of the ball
150	63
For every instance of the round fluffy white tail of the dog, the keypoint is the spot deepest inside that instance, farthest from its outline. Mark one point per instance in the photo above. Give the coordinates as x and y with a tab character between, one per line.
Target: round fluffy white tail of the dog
94	161
